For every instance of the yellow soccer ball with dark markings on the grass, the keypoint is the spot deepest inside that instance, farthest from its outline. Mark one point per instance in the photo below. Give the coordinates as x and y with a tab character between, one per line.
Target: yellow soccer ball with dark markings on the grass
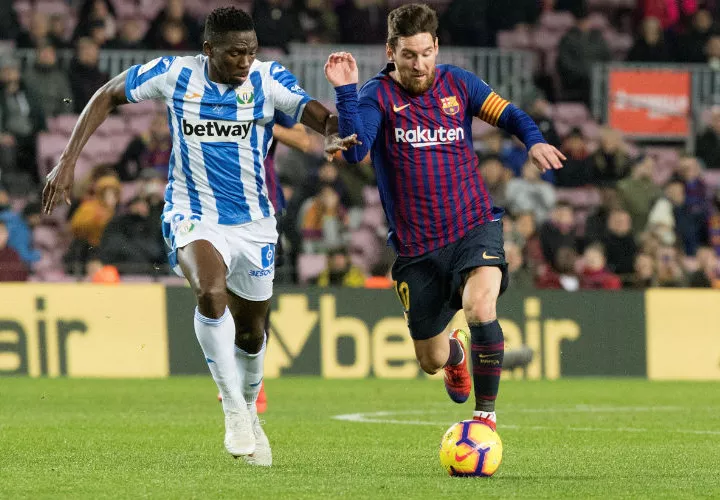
471	448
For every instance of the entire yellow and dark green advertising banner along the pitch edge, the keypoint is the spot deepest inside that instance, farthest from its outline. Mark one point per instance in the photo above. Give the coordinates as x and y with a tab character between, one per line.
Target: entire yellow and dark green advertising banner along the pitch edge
86	330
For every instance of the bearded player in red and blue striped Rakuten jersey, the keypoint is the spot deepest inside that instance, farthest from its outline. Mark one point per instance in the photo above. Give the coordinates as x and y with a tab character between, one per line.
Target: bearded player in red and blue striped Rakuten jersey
415	119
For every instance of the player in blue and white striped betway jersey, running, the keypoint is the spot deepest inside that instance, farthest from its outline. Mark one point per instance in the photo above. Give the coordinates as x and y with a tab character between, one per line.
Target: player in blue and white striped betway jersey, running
218	220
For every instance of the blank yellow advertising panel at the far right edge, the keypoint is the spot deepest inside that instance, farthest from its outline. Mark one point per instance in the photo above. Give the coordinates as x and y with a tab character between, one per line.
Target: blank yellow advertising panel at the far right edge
683	334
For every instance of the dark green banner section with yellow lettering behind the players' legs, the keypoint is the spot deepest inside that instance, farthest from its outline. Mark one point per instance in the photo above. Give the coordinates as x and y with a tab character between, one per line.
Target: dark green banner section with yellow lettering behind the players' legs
358	333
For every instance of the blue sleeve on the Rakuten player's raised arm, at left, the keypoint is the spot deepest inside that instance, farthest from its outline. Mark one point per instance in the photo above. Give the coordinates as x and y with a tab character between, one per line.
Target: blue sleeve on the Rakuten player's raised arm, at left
358	114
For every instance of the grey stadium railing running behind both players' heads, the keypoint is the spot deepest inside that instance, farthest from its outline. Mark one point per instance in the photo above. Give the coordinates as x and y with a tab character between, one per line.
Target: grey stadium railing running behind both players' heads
509	72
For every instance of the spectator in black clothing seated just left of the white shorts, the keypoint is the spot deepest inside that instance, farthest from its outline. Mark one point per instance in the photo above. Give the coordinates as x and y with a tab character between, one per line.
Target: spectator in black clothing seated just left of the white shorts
132	242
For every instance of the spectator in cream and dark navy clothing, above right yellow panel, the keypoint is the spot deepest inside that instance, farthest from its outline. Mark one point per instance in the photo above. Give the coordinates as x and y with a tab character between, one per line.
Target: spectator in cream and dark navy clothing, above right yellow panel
671	221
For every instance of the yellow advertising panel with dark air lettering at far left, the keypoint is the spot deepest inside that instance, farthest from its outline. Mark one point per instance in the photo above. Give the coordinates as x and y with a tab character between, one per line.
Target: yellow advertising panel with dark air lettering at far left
83	330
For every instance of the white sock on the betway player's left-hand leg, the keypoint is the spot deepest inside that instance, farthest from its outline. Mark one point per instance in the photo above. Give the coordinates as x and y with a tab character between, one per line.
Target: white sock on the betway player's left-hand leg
217	339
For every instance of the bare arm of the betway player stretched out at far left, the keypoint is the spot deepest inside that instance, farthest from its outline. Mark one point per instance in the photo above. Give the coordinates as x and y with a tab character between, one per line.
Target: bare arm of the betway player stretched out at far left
60	179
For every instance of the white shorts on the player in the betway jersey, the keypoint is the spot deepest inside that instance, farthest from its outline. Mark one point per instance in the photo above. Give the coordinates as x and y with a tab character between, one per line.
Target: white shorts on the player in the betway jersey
248	250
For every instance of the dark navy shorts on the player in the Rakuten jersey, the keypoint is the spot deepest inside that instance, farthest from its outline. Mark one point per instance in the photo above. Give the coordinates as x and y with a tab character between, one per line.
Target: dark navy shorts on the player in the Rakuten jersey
429	285
